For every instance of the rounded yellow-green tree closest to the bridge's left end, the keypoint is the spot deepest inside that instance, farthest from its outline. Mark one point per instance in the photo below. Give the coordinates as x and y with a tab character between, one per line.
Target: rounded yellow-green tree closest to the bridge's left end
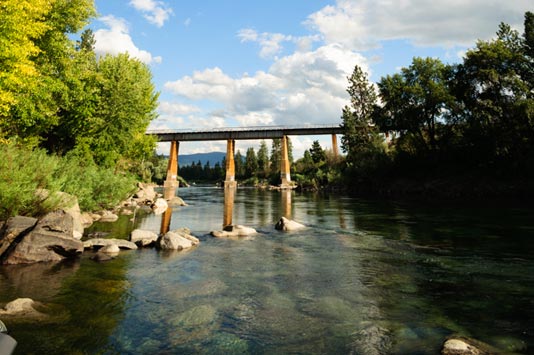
126	107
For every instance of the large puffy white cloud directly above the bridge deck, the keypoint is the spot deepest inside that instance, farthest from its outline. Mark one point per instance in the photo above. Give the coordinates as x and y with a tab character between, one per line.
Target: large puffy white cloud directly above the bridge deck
306	87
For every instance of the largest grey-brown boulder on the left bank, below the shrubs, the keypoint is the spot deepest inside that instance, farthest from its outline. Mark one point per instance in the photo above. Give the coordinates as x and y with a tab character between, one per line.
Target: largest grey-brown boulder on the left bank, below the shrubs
50	240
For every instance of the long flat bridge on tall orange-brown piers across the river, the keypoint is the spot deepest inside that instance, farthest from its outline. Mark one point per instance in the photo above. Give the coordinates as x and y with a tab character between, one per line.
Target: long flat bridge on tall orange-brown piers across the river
231	134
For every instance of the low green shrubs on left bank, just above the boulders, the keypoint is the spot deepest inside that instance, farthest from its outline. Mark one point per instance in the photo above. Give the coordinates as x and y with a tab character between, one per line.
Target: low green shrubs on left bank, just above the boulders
25	172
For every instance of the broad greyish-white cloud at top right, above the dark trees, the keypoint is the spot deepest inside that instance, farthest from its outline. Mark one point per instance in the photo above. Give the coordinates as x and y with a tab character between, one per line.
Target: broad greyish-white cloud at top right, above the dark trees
361	25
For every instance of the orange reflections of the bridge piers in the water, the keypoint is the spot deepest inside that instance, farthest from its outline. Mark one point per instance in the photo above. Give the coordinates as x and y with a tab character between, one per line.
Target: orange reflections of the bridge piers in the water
228	209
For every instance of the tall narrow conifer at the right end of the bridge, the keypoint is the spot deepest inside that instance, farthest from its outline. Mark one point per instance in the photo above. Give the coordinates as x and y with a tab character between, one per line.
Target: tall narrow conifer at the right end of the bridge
360	135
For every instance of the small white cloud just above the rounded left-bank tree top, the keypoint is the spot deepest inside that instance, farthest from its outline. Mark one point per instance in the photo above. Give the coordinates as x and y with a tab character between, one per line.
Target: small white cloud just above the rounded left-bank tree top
116	39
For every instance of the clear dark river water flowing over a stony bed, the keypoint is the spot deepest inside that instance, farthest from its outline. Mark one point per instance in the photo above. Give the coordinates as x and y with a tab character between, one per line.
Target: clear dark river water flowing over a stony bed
364	277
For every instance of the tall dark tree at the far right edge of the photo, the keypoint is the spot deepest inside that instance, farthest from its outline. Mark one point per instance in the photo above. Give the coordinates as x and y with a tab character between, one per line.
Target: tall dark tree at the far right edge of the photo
494	88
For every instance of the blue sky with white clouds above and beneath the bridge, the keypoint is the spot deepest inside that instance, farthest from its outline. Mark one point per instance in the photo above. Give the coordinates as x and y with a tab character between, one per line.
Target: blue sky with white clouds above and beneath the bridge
233	63
